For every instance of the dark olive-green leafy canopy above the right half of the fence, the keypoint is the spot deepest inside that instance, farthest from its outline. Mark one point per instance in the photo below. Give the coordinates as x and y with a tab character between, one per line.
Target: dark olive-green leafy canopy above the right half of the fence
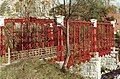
85	10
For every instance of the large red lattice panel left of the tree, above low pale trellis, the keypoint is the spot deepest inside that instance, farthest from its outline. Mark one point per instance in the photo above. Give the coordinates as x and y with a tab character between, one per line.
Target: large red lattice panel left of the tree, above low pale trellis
31	33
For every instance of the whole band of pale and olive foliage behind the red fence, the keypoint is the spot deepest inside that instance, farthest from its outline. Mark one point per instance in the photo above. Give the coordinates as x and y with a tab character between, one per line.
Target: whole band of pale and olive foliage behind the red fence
80	9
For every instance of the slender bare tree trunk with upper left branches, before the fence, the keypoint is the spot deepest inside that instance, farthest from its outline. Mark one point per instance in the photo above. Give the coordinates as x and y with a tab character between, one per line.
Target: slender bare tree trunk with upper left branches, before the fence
66	12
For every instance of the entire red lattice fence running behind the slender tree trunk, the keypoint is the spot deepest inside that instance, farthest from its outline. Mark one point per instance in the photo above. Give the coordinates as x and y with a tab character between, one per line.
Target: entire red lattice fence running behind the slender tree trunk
28	35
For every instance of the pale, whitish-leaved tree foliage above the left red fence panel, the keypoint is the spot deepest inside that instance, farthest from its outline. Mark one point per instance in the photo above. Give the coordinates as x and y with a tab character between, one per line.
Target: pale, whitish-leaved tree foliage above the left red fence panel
35	8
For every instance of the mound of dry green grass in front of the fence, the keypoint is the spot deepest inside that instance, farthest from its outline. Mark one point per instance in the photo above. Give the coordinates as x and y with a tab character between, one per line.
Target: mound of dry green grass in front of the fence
34	69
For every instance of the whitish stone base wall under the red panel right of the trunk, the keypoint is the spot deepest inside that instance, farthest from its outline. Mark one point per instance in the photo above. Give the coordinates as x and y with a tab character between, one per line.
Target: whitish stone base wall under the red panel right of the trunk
92	69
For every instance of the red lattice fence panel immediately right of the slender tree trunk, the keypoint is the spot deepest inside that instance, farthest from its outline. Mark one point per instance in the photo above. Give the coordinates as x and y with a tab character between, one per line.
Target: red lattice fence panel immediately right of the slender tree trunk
81	41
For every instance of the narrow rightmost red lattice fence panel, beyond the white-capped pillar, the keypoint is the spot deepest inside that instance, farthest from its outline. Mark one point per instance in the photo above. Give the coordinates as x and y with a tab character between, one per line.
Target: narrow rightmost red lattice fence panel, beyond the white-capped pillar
105	38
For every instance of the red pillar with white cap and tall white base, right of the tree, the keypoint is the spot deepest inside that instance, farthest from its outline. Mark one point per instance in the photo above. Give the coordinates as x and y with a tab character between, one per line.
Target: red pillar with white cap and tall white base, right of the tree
96	60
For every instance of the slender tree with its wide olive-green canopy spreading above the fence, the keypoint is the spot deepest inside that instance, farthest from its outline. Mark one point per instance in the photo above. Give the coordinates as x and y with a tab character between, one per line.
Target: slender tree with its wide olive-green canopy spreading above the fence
79	9
